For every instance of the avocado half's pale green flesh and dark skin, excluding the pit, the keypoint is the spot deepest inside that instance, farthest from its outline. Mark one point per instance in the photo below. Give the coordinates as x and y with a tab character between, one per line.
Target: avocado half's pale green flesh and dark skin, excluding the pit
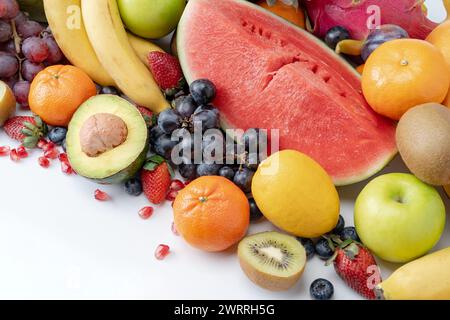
120	163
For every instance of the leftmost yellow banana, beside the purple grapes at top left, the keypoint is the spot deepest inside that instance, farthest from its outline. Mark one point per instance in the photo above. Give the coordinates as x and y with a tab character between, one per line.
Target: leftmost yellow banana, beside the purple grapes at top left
66	23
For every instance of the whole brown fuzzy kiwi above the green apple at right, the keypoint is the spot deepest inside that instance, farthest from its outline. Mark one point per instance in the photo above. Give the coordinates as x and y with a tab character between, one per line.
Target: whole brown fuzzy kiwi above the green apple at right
423	139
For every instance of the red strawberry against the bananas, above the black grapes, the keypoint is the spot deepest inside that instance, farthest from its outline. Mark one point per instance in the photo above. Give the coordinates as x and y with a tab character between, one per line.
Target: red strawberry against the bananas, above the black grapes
167	72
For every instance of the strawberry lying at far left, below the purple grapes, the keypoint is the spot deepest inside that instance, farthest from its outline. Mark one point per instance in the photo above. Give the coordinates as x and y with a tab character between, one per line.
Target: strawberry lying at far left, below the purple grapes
28	130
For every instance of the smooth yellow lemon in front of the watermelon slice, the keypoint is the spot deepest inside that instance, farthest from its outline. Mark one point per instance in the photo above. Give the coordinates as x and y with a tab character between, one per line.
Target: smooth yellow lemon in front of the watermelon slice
296	194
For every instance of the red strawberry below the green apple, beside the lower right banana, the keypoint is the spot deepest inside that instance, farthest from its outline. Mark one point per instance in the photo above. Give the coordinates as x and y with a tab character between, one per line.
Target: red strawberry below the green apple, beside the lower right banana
357	267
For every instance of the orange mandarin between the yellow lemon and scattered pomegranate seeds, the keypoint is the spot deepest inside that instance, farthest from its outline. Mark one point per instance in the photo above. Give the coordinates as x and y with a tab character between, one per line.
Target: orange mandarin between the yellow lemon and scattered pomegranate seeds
211	213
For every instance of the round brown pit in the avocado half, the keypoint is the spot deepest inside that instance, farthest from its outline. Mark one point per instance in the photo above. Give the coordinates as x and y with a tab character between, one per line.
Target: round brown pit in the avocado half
101	133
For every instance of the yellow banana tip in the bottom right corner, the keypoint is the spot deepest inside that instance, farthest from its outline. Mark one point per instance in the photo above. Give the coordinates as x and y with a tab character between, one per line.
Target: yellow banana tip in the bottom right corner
427	278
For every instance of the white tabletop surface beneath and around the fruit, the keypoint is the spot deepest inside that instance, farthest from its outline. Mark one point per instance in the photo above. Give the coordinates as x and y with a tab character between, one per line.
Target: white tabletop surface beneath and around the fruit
57	242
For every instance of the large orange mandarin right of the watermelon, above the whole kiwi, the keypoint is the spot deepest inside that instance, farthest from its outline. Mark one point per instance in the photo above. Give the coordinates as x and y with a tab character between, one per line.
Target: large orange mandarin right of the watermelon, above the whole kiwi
402	74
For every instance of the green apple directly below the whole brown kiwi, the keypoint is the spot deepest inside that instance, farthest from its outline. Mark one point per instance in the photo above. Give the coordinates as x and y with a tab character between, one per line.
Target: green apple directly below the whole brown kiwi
398	217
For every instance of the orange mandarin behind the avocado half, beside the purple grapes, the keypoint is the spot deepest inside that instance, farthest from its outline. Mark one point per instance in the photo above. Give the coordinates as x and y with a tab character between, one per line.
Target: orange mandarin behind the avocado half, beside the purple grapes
57	92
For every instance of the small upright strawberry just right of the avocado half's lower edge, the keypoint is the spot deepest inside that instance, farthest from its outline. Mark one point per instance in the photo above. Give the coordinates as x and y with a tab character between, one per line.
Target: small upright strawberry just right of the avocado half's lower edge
156	179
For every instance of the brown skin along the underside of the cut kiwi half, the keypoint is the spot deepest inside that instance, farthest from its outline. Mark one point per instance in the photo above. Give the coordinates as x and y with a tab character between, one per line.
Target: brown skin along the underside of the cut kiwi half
269	282
